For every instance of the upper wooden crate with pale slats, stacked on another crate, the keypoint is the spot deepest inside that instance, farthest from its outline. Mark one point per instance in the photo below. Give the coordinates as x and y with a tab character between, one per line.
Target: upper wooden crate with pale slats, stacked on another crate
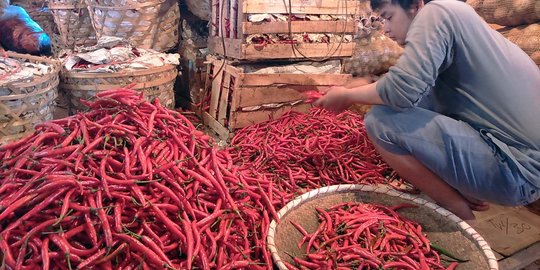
230	27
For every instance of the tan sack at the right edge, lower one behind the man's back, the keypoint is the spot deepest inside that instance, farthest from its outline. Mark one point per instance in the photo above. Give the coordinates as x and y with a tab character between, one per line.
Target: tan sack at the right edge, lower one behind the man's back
527	37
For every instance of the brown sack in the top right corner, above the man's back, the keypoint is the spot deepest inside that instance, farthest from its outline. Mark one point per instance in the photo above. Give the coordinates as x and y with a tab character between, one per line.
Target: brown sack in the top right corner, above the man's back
507	12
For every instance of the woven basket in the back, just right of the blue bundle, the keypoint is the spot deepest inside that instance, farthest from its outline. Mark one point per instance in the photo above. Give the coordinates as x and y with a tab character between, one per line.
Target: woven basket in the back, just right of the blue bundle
73	23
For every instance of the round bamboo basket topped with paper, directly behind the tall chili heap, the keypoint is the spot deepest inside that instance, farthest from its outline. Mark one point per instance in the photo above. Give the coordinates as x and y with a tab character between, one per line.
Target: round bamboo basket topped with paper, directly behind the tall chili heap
157	82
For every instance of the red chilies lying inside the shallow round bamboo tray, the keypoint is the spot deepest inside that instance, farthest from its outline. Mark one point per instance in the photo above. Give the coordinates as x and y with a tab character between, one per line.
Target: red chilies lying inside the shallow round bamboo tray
366	236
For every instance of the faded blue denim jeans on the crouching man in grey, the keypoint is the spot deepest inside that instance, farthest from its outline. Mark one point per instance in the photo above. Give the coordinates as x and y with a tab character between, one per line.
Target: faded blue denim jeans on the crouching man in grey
453	150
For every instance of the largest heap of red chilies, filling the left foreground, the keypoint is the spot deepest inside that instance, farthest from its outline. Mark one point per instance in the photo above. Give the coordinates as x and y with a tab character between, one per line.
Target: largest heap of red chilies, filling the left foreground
129	184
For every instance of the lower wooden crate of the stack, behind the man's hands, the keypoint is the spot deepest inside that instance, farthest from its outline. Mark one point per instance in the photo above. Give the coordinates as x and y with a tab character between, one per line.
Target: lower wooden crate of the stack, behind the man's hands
231	91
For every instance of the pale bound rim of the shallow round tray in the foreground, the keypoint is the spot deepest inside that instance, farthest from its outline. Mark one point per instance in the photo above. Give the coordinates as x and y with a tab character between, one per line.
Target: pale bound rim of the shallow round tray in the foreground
293	204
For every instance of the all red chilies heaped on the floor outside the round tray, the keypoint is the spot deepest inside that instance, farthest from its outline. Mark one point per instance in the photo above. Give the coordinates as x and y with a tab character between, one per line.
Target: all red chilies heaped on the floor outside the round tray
131	184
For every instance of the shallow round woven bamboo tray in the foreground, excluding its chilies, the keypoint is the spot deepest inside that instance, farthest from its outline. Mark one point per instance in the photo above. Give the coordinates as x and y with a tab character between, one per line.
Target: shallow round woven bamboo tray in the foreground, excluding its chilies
442	227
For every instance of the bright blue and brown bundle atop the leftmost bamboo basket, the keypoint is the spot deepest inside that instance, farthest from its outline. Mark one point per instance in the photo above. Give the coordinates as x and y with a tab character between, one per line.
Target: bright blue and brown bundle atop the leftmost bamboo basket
19	33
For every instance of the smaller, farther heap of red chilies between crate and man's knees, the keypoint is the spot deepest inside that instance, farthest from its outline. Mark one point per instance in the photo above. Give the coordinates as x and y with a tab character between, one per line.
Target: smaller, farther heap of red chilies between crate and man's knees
301	152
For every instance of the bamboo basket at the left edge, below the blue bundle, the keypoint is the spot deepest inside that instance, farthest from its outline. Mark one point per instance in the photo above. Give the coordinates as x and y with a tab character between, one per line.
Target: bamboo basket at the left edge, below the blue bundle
28	102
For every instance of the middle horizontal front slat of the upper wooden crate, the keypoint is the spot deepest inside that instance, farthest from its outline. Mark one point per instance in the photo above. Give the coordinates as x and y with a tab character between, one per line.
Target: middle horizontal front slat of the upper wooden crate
299	27
